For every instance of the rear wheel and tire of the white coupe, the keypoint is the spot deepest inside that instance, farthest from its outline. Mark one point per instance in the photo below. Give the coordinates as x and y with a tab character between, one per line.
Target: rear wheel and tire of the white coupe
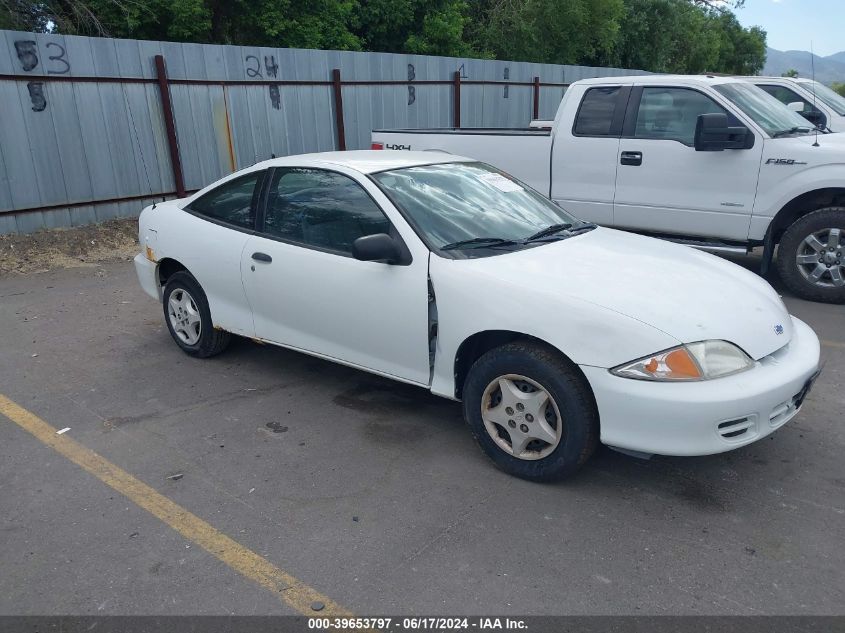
188	317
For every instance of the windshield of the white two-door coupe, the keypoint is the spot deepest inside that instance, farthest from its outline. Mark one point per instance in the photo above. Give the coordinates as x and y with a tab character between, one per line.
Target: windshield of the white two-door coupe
472	206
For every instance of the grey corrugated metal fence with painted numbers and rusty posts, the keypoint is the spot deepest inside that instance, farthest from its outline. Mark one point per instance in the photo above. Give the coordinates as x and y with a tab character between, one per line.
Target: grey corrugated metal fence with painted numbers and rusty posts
94	128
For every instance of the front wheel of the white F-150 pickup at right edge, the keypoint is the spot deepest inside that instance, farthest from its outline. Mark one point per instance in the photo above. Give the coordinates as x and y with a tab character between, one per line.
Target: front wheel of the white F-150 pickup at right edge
811	256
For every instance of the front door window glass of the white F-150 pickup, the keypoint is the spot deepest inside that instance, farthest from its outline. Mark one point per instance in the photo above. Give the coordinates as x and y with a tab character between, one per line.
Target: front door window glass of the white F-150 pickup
672	114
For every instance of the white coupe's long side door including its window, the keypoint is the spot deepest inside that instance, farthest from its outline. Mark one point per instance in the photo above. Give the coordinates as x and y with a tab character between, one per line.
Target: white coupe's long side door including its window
308	292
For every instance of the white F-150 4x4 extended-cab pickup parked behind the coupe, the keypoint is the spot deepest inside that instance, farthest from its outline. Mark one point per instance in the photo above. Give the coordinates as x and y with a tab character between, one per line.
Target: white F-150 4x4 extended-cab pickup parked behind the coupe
713	162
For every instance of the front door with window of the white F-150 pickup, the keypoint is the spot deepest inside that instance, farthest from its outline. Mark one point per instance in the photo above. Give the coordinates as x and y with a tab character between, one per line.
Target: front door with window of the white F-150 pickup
664	185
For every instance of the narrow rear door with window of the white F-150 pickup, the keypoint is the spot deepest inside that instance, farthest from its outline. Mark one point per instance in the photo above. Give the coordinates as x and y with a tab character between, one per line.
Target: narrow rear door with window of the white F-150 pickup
584	159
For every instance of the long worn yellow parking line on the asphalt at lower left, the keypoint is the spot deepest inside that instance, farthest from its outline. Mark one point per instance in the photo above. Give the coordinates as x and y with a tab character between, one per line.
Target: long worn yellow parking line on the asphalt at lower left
288	589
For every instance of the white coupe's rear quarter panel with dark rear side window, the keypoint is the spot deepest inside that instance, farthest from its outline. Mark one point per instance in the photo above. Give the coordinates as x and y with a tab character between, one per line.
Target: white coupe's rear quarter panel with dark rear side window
209	238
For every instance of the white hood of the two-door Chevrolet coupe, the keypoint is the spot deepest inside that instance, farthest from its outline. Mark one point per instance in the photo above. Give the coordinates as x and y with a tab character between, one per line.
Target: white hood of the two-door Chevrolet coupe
689	295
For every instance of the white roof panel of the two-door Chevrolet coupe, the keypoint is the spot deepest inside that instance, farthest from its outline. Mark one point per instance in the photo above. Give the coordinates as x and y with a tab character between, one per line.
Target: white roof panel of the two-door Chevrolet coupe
366	161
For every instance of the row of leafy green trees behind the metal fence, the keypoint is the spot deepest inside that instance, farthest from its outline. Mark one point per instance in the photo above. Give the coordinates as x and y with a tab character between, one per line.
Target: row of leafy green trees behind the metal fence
681	36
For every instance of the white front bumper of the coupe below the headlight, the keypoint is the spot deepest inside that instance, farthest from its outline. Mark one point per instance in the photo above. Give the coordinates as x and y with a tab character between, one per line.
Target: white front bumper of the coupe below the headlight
713	416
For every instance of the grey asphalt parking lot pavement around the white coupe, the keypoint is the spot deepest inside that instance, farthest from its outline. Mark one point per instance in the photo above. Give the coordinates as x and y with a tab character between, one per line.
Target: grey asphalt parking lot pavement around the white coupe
371	492
